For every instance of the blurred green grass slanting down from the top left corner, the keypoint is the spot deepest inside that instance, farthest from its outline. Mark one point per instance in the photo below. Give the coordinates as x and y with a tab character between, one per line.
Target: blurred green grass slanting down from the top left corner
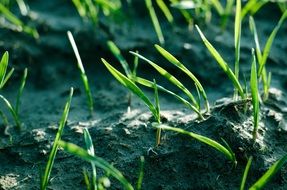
17	23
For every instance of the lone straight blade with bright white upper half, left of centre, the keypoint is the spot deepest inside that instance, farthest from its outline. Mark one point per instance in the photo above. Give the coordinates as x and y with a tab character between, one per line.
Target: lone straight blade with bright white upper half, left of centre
83	74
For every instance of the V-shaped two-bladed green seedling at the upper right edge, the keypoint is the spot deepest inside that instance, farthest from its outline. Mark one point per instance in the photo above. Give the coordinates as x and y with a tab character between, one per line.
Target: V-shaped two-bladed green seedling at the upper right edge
262	56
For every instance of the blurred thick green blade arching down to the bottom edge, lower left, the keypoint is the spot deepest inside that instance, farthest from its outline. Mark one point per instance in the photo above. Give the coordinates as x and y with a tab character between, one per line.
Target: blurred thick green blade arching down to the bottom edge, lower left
99	162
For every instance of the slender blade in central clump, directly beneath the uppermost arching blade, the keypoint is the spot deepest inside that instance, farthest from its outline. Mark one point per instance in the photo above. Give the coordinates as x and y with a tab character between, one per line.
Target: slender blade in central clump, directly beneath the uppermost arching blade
169	77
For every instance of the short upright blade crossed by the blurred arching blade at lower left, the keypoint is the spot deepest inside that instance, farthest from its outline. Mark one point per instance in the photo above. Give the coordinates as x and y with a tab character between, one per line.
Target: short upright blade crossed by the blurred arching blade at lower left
91	151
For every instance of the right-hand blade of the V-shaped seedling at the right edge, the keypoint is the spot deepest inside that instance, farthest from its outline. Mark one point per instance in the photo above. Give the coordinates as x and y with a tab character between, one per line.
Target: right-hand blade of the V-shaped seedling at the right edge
269	42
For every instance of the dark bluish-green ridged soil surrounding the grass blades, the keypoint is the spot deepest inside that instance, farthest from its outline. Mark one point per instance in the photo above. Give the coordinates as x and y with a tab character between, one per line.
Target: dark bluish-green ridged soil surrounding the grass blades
120	137
